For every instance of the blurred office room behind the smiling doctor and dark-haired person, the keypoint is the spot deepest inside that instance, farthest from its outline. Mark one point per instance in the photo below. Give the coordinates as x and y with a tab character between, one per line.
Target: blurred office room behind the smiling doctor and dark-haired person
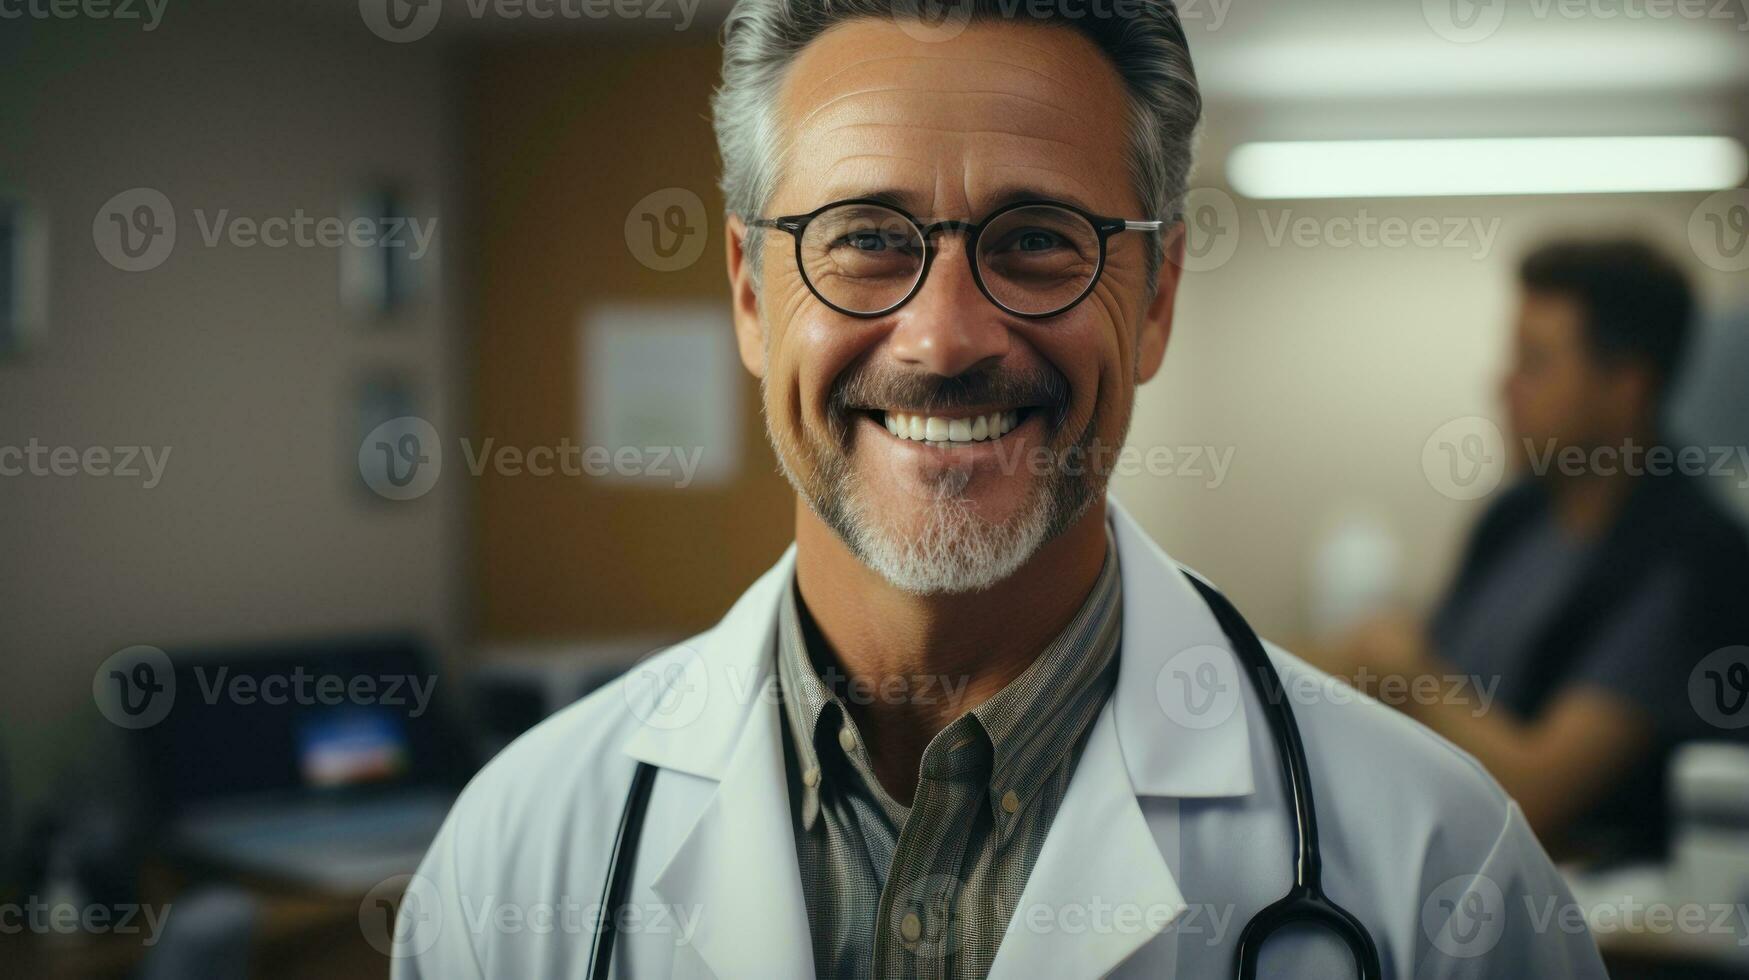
566	172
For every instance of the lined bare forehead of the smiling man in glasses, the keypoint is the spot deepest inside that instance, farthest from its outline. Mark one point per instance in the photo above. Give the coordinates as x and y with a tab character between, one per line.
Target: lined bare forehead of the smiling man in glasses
1057	78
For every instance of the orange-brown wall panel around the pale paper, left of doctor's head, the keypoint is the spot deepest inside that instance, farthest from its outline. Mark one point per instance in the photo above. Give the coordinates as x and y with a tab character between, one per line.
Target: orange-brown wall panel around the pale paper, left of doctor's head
559	174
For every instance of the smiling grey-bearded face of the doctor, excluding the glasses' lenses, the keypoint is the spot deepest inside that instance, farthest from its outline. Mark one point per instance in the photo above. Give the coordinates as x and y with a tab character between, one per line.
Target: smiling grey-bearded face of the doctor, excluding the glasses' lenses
952	130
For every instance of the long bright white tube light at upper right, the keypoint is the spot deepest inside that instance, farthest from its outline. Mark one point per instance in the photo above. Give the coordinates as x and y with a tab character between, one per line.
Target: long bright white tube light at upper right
1433	169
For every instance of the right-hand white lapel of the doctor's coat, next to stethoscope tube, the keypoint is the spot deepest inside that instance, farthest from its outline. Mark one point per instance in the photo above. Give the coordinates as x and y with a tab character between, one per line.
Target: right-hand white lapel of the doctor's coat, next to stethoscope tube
1160	736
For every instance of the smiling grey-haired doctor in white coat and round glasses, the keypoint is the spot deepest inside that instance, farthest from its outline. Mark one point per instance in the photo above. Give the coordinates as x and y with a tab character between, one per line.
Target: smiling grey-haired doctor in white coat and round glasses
975	724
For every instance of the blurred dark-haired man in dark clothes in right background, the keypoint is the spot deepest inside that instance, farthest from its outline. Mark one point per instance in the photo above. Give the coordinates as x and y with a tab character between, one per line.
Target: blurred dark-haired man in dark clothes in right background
1598	582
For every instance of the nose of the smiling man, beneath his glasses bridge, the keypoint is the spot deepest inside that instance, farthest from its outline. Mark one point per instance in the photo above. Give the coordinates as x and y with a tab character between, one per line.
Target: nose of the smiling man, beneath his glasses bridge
951	328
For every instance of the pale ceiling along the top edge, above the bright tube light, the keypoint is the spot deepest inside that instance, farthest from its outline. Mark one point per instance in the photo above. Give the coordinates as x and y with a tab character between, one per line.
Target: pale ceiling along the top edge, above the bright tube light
1299	69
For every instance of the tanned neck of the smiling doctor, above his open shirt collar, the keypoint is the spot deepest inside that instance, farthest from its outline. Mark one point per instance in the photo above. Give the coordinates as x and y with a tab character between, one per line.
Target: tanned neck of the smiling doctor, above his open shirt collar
924	661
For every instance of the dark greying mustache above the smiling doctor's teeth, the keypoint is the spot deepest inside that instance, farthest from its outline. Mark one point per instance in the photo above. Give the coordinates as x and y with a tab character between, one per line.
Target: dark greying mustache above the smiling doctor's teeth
928	395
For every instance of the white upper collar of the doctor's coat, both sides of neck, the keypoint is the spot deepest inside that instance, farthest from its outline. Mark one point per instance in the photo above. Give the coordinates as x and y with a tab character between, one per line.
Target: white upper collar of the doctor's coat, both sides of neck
1171	743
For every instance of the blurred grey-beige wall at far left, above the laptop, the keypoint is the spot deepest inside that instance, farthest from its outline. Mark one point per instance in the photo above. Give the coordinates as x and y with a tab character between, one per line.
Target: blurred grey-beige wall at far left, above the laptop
240	361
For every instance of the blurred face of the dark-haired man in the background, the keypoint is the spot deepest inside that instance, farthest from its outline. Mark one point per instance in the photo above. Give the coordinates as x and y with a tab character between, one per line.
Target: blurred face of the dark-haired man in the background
1557	391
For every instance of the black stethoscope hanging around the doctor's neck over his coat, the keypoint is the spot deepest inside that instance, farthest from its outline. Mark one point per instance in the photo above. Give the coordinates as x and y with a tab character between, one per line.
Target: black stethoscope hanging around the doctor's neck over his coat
1306	902
